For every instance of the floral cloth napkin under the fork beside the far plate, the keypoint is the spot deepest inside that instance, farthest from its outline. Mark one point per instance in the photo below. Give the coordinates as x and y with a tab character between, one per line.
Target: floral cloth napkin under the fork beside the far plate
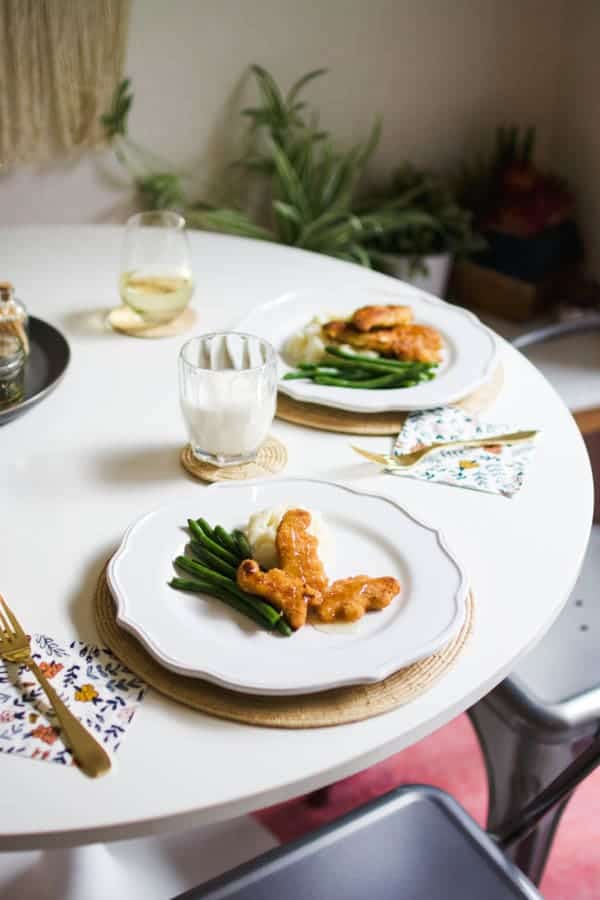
495	468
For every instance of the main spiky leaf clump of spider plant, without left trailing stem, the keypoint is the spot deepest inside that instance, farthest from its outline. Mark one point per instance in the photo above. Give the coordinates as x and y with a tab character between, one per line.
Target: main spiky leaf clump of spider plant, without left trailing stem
312	185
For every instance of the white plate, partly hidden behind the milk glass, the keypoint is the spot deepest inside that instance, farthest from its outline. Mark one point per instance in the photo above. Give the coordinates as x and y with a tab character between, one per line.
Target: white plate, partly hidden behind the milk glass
469	358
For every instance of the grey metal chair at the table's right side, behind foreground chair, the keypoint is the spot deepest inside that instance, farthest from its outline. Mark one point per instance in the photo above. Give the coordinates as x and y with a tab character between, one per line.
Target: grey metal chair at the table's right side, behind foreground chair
540	718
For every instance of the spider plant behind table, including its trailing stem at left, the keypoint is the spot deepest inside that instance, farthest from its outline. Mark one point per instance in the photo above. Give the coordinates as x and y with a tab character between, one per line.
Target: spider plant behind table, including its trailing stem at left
310	184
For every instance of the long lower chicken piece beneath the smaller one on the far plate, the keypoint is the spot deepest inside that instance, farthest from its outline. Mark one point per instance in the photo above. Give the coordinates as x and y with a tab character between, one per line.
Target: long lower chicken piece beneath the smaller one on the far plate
420	343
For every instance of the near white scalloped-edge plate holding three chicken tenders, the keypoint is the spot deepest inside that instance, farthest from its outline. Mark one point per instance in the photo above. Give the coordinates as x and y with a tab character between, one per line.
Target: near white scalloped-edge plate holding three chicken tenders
200	636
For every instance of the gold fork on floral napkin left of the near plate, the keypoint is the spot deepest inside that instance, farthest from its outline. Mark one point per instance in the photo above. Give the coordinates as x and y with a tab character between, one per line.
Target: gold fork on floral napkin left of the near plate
15	647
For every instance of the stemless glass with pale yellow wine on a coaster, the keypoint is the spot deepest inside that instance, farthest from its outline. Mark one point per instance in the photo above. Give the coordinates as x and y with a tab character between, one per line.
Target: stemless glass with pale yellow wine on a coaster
156	275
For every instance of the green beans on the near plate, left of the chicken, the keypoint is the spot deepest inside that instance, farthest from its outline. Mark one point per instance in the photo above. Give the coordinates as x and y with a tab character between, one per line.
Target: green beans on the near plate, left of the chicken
216	555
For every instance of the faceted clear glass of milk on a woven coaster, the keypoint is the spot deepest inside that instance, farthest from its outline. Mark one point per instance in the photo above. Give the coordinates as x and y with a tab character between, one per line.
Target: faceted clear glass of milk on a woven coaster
228	390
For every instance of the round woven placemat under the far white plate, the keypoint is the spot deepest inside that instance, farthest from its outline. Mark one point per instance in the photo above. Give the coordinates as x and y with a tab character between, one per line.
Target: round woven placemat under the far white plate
322	417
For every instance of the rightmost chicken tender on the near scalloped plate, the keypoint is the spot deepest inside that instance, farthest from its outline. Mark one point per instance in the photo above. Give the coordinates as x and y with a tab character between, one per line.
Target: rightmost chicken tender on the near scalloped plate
348	599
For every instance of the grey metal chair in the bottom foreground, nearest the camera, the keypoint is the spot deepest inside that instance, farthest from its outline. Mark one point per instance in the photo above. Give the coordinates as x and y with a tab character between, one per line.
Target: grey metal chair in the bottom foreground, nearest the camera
415	843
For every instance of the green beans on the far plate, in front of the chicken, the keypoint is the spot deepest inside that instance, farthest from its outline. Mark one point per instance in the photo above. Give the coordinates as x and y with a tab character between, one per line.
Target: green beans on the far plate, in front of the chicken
354	370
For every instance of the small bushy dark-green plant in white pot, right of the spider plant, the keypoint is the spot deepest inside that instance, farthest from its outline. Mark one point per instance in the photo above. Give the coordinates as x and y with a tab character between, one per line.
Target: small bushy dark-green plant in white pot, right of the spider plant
421	251
